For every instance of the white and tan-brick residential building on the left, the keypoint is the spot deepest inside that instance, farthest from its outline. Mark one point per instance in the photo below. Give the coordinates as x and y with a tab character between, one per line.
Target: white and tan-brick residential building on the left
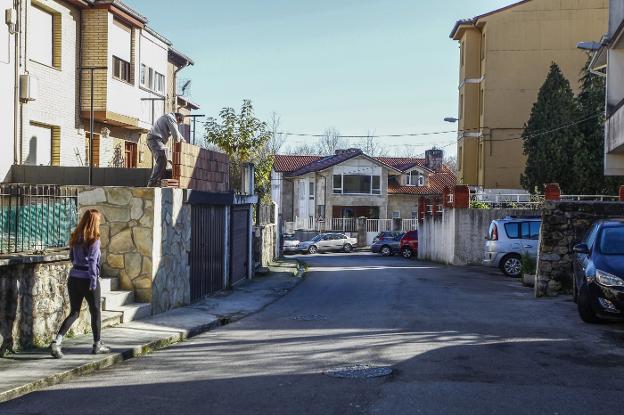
66	49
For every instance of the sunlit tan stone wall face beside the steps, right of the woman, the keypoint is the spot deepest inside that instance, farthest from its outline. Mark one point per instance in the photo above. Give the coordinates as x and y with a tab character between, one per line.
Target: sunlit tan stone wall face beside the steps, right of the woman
127	235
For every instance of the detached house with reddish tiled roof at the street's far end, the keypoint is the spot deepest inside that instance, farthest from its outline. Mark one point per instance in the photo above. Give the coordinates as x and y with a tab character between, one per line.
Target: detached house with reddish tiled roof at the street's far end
350	184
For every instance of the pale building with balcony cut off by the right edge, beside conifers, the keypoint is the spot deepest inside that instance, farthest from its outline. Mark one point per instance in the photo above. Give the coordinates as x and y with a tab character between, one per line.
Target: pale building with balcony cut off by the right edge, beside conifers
609	61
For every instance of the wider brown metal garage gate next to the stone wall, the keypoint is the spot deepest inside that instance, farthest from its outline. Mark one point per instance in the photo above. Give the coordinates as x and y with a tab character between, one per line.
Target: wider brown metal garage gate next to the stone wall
207	250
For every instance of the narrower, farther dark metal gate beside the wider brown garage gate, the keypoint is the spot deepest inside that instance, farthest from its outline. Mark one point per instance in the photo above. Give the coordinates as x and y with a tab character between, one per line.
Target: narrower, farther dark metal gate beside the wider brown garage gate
239	243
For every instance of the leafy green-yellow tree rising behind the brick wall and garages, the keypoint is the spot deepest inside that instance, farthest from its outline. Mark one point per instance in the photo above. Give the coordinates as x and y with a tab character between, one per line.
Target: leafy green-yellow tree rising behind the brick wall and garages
243	138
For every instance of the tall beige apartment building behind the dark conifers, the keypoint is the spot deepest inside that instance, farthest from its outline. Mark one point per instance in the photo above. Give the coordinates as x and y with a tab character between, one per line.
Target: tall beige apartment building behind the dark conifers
505	56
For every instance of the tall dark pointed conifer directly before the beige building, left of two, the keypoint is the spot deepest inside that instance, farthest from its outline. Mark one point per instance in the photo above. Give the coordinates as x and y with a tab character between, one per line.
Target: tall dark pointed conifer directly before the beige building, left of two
550	138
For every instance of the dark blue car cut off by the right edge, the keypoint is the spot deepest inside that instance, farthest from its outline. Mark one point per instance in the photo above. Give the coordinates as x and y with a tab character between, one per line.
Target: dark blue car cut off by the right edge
598	281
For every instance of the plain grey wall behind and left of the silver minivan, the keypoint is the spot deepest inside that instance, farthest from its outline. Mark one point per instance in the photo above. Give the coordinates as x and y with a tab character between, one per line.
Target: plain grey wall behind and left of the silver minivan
457	236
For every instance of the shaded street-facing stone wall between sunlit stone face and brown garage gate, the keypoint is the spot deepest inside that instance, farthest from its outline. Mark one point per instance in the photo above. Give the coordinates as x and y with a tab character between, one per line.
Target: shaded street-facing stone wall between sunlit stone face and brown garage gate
172	246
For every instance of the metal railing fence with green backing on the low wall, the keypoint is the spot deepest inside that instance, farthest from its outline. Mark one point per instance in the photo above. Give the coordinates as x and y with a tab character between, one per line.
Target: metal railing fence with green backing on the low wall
34	218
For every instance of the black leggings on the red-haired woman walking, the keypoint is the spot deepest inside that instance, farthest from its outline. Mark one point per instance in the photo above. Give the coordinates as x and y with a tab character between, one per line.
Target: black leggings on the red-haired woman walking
78	290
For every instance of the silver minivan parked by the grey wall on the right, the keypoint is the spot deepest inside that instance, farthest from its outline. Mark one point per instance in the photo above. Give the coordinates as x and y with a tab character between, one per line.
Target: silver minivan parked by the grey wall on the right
508	239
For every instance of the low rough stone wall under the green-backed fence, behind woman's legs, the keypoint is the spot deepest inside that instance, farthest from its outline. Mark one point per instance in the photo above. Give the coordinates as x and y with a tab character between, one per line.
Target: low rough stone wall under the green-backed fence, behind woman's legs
34	301
